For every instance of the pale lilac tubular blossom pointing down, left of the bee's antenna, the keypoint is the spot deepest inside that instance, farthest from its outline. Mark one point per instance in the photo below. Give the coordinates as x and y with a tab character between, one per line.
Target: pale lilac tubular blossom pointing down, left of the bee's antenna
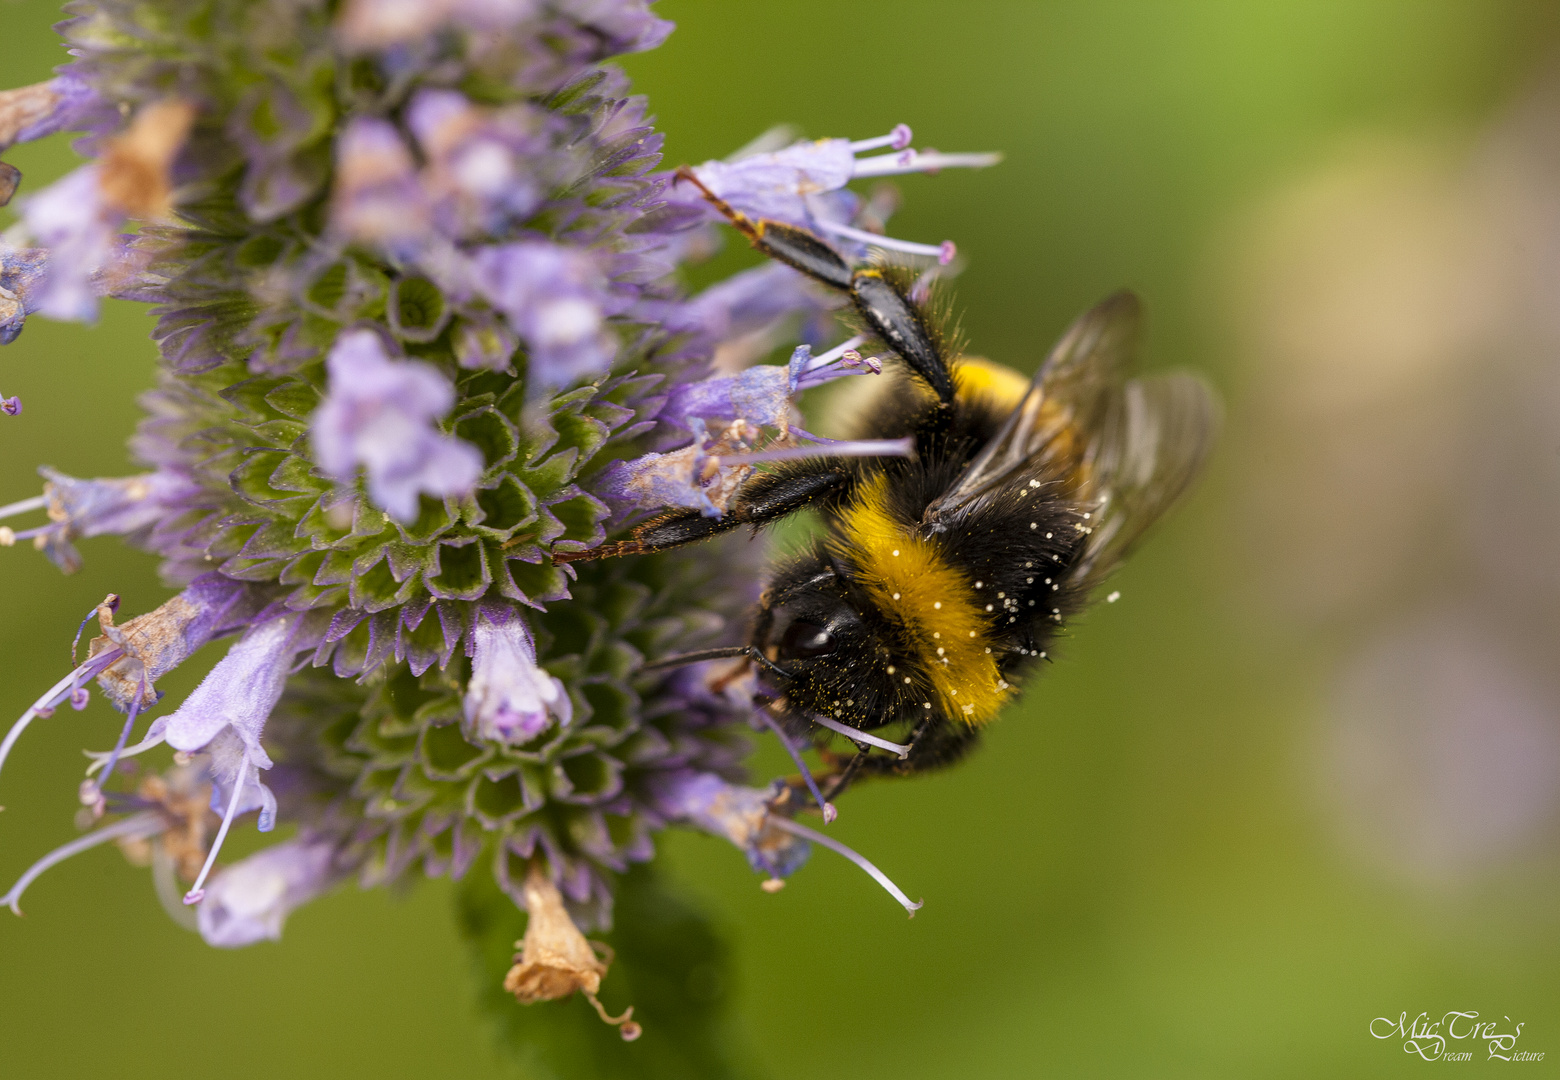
509	698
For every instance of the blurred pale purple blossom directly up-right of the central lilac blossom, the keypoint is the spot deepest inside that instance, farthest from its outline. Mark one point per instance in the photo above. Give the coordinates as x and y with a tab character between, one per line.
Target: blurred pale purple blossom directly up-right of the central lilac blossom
556	299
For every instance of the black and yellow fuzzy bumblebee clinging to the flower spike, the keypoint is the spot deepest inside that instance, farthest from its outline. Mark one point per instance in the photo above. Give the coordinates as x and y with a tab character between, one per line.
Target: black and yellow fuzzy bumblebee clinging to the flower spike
941	581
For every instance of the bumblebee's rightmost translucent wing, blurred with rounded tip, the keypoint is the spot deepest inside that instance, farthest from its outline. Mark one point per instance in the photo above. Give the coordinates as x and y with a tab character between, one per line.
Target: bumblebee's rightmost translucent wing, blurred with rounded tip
1152	441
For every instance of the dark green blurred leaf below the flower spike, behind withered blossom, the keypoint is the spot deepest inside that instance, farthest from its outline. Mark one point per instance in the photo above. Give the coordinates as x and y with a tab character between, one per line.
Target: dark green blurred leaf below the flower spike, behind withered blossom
672	967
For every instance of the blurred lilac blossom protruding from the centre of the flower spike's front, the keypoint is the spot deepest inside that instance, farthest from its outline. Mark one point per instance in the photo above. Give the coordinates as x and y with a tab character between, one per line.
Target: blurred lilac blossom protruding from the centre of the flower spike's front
380	414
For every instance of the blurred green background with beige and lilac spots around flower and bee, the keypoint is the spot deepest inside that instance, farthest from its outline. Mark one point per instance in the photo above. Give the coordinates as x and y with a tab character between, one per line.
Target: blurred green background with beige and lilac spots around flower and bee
1302	776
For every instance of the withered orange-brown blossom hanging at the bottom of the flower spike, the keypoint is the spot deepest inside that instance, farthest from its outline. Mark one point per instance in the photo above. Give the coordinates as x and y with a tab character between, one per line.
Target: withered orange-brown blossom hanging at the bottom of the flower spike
555	957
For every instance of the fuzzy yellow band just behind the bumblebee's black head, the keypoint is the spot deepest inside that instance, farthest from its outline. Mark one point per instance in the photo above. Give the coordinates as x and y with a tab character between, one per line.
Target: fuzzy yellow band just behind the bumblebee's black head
932	600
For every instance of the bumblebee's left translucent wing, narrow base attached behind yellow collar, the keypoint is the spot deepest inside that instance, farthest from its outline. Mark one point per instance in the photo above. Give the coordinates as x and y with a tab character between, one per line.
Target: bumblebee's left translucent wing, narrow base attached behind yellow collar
1069	399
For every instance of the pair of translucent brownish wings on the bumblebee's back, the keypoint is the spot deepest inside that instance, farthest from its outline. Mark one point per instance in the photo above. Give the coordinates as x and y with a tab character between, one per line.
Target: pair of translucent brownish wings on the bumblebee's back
1127	449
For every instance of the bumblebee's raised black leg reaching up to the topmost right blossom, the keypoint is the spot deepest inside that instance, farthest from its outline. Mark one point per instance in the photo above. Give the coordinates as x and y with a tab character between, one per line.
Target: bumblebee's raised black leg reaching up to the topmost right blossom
884	305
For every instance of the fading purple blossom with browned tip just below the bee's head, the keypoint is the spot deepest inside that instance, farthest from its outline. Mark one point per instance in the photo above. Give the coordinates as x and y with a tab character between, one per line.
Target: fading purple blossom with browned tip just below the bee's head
736	812
